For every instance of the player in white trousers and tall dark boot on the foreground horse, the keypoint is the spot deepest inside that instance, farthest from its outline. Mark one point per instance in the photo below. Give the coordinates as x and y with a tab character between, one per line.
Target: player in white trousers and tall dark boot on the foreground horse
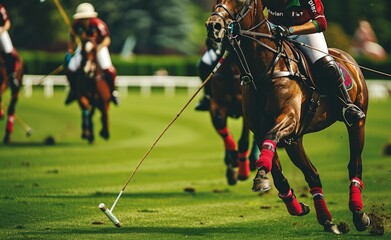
304	21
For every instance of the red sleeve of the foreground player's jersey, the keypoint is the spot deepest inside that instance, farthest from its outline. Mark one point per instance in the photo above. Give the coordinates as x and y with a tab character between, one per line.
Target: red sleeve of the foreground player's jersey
316	10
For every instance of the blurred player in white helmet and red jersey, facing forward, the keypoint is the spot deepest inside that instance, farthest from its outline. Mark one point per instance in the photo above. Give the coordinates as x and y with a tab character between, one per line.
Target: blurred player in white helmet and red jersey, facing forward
87	25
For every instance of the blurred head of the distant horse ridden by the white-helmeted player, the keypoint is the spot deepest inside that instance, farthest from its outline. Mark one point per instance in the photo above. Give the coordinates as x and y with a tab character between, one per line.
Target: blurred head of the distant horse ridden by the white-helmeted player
88	52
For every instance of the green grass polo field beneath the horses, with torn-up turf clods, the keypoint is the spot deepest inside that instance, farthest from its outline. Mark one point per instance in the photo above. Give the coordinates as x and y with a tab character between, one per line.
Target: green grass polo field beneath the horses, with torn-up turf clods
53	191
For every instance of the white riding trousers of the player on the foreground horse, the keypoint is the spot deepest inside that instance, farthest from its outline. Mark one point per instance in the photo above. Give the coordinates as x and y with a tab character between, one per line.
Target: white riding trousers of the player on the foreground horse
316	41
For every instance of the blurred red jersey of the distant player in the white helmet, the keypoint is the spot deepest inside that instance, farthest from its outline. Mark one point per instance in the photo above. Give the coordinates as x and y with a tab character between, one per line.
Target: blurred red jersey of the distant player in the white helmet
96	29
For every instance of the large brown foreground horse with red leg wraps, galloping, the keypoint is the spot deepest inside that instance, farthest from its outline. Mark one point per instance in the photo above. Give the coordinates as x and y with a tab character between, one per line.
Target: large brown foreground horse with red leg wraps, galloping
280	107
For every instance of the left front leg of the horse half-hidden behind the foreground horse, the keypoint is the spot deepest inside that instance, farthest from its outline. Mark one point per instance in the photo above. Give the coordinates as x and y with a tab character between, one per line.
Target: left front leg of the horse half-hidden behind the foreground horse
219	120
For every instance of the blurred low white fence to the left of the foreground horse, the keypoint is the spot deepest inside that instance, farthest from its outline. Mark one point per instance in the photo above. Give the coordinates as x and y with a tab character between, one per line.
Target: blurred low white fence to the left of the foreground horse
145	83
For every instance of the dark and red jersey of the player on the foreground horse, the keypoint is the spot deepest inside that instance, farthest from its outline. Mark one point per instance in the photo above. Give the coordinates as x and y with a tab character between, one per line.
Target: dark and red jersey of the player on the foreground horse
296	12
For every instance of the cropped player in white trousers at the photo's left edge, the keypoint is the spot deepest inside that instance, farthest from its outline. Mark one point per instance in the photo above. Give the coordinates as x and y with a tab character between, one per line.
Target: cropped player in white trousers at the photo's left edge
10	55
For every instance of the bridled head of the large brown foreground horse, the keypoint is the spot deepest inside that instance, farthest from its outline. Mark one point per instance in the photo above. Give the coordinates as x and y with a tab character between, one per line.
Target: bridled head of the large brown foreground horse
225	13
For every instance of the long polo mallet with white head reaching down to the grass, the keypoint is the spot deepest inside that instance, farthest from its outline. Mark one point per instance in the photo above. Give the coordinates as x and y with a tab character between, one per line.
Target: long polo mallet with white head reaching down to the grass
102	206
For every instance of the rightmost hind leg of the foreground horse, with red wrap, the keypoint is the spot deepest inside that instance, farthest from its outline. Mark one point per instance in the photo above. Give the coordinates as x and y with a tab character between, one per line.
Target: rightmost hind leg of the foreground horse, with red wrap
356	141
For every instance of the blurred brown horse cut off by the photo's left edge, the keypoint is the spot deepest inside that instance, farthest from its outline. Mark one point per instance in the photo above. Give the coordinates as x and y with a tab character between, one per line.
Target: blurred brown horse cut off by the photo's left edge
11	75
